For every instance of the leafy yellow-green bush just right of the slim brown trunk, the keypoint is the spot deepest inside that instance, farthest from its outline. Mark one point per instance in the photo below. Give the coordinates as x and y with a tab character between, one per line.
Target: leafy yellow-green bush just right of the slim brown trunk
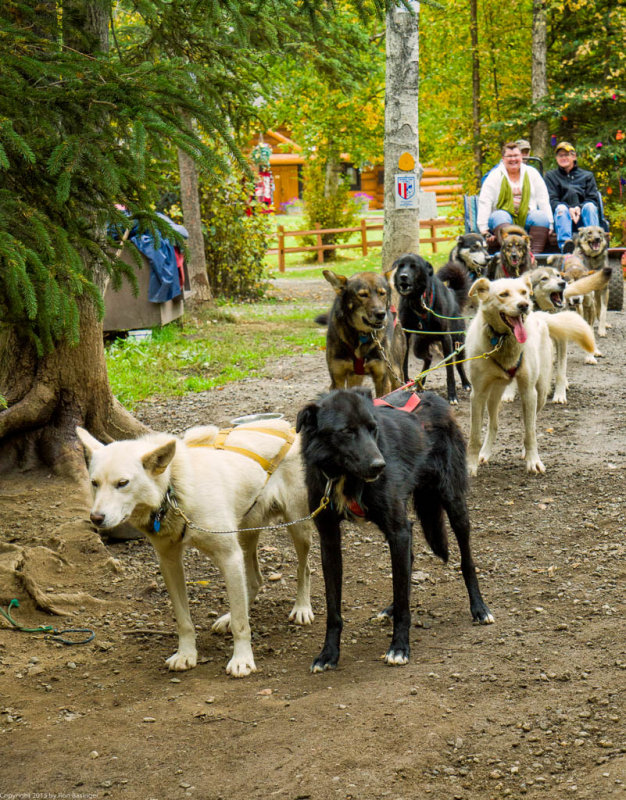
235	241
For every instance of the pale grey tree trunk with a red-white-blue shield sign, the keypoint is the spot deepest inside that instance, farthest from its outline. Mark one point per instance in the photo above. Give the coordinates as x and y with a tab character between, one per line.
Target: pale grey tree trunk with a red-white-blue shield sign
401	228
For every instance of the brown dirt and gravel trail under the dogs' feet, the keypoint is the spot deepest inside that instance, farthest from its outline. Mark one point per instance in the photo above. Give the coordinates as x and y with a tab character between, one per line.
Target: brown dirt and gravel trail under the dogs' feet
532	706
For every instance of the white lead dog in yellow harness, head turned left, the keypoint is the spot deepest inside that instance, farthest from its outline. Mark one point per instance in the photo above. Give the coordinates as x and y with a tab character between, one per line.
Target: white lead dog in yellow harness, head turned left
243	477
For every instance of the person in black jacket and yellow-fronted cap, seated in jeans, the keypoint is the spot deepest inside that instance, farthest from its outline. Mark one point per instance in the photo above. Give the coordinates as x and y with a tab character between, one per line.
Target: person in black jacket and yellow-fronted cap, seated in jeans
573	196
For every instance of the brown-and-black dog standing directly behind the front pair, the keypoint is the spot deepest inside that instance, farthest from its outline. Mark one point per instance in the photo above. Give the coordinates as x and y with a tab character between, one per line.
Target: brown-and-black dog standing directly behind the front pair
363	335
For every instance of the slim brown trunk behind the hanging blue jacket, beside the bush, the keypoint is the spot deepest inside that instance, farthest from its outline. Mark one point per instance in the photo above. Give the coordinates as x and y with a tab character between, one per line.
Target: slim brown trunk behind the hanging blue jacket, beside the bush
190	201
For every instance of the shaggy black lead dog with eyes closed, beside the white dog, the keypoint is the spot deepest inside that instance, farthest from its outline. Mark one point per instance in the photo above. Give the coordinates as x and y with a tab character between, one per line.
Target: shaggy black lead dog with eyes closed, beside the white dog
370	461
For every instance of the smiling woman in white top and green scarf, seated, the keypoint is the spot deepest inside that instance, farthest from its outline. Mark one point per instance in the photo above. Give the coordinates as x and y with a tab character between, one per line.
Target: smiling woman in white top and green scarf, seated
514	193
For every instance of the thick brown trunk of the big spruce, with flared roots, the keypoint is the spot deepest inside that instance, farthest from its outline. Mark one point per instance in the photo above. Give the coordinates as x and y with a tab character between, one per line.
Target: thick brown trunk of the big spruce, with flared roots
47	396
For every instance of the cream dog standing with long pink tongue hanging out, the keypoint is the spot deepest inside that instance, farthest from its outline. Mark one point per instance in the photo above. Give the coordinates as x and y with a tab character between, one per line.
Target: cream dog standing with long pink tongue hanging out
518	346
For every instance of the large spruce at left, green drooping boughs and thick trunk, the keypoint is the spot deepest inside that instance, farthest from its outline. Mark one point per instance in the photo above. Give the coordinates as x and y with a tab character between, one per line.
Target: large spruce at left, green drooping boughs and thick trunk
89	103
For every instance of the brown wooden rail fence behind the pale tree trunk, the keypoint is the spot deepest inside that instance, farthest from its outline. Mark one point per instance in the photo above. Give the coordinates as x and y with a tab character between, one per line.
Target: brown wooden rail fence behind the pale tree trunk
431	225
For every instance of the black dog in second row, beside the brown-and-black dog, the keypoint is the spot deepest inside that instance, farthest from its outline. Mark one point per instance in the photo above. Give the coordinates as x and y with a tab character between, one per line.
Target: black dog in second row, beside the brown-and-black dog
431	311
